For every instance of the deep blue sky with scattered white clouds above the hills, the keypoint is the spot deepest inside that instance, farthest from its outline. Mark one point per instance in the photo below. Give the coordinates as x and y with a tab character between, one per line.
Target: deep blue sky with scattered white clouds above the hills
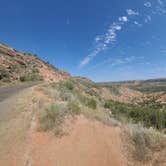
104	40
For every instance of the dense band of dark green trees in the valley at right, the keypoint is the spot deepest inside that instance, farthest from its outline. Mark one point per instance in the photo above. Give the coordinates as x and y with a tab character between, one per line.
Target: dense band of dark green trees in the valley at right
149	113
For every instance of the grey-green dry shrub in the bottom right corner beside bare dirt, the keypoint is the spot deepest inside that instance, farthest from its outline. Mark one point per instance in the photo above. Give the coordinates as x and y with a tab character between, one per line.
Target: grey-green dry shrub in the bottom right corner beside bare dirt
145	141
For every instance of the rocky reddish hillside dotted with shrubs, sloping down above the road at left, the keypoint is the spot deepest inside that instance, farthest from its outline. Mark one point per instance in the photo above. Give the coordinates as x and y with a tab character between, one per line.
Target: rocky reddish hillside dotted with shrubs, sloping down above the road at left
20	66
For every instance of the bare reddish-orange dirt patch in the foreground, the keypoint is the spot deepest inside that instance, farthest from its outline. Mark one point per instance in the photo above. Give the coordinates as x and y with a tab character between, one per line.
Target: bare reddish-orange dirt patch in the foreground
88	143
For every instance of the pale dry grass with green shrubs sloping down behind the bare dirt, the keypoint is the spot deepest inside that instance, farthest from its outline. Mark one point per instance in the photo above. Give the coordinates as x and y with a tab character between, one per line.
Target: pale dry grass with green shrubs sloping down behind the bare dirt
76	102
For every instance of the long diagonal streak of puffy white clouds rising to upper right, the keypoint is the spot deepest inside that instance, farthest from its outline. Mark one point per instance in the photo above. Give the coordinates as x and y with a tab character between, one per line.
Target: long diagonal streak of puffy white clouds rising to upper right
102	42
